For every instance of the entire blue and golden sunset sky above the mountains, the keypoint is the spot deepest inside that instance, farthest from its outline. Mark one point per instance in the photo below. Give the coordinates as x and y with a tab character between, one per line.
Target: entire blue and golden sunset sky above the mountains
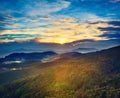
59	25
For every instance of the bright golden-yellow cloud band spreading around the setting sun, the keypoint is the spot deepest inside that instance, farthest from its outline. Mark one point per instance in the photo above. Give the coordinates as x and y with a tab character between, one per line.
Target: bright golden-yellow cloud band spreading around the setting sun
68	31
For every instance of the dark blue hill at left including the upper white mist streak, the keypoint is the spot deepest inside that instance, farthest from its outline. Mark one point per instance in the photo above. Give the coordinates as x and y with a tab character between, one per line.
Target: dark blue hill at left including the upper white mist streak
21	59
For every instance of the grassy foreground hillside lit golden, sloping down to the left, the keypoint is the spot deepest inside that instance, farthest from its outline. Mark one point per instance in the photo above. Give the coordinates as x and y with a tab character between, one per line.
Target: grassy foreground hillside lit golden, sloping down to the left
93	75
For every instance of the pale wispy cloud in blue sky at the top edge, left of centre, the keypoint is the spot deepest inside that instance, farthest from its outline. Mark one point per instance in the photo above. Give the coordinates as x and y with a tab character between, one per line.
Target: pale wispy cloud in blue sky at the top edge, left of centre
44	7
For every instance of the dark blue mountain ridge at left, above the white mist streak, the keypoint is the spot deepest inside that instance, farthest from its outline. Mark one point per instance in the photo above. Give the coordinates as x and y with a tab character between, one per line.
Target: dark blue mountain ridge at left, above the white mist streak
27	56
